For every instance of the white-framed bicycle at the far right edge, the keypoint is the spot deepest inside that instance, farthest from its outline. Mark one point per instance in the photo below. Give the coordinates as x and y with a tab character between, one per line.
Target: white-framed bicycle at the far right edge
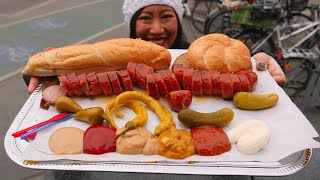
299	56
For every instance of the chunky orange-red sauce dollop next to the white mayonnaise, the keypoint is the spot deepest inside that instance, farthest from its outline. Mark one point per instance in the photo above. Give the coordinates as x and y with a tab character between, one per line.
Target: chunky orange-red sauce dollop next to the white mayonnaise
210	140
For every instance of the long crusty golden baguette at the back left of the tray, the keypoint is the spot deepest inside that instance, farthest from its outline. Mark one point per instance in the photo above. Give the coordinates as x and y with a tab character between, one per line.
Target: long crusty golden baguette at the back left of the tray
102	56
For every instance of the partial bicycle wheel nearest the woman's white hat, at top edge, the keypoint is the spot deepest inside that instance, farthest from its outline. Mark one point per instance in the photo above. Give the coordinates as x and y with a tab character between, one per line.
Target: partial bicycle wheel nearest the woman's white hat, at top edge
200	11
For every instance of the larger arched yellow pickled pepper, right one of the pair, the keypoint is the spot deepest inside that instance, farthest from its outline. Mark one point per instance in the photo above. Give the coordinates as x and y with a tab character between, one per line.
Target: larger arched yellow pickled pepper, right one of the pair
162	112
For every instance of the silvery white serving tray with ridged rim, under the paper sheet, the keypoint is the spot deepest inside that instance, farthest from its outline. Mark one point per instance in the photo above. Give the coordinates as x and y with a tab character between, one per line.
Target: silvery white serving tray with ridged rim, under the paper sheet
14	148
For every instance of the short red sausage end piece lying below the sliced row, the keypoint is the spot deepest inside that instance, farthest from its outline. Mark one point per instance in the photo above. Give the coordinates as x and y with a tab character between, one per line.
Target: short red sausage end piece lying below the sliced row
179	100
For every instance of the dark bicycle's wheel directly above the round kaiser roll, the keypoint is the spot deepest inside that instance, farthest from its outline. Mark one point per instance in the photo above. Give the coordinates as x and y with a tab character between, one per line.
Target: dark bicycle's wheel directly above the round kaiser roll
220	22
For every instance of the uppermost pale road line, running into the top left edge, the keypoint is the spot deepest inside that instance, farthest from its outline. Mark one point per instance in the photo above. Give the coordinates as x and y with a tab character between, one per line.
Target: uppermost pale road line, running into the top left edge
53	12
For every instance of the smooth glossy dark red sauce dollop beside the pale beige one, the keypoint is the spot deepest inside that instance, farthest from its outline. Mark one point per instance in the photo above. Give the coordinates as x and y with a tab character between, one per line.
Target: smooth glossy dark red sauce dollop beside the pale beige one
99	139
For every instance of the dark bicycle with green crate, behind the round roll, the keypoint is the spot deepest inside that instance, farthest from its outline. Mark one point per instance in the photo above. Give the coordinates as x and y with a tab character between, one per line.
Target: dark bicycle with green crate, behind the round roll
236	21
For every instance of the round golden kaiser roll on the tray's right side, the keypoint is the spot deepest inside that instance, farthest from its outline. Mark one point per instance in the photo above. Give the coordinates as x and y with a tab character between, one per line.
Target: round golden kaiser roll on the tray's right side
219	52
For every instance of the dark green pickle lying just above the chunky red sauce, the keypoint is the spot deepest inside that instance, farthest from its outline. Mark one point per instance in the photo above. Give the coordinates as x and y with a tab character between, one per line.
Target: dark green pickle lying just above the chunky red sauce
220	118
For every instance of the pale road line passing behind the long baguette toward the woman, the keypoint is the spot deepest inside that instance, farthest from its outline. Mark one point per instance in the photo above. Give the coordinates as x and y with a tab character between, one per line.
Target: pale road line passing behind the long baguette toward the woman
13	73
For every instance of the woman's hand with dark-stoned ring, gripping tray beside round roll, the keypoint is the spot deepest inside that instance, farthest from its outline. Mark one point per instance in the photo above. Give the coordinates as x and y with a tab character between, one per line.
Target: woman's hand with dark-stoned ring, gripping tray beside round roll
264	61
